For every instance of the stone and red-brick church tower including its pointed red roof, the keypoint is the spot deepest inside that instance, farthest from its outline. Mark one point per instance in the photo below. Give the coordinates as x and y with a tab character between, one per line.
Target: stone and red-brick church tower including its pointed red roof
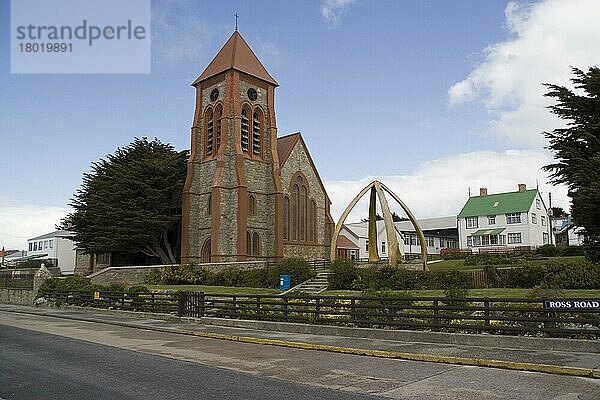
232	198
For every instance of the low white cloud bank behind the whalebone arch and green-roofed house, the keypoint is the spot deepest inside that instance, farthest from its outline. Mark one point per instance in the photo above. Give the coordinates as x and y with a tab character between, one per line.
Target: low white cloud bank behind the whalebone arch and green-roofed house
440	188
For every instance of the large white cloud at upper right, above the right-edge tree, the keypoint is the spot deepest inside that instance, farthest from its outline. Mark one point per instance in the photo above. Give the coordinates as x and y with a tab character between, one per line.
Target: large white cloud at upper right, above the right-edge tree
545	40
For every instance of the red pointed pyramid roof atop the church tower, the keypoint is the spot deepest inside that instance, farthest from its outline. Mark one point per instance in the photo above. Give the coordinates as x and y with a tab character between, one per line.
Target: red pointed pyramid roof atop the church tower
236	54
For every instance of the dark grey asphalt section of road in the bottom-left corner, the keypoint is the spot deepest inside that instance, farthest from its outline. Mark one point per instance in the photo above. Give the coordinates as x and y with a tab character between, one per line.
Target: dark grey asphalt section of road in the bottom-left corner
37	365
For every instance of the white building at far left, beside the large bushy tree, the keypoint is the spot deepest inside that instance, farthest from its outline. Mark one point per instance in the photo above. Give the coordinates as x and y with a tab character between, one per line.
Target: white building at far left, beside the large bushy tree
57	246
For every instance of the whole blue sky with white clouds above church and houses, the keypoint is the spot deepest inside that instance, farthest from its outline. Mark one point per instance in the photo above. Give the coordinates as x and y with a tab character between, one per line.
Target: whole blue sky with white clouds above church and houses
433	98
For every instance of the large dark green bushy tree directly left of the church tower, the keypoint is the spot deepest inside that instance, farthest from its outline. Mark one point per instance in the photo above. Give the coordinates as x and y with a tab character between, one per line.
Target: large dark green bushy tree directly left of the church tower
130	201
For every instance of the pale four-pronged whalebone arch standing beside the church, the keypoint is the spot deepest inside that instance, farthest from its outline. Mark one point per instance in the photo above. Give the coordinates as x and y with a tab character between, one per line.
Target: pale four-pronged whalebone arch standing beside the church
378	189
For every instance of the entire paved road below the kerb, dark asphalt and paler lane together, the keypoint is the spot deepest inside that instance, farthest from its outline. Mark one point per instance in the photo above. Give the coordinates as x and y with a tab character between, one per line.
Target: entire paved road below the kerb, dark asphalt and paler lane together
249	368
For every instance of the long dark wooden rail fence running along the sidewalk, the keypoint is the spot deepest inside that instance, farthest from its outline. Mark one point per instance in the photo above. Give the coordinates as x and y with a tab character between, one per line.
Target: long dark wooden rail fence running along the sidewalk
444	314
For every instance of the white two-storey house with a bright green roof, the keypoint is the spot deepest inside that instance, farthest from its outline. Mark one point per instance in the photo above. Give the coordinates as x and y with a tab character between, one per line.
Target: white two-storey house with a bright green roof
504	220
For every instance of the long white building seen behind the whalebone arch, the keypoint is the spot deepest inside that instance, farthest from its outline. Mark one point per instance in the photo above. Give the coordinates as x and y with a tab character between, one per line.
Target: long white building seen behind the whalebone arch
440	233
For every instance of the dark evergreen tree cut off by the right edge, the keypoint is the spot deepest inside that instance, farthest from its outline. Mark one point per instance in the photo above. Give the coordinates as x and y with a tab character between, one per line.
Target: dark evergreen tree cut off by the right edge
576	149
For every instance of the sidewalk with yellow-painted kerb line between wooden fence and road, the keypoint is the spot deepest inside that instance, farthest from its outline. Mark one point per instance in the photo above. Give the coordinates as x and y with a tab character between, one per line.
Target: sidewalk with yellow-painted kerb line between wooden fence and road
575	357
